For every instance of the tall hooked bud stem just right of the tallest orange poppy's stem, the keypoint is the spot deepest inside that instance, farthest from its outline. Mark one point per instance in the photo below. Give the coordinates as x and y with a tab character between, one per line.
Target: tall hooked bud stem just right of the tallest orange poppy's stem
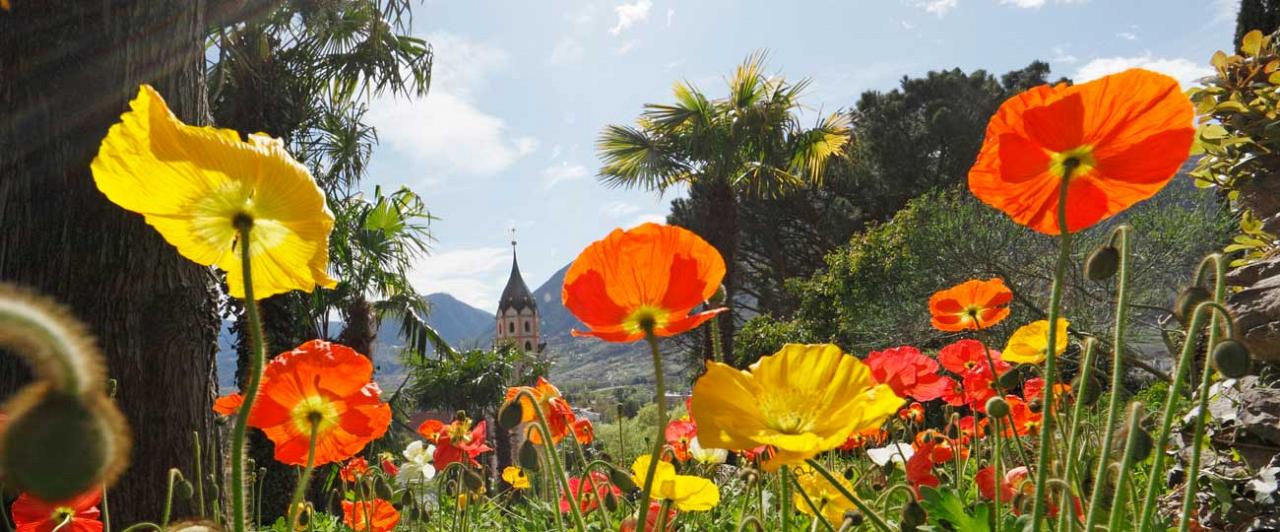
1095	512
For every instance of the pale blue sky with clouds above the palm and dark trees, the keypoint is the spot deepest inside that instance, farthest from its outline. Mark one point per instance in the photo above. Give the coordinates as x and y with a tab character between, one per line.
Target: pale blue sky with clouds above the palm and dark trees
522	90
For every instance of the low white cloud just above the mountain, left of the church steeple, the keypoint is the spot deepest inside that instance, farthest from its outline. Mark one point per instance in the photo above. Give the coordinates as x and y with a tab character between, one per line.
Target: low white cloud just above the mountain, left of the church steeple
473	276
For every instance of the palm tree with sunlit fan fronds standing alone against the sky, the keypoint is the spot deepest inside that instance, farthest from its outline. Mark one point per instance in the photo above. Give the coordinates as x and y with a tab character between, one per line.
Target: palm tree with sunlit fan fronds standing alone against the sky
749	144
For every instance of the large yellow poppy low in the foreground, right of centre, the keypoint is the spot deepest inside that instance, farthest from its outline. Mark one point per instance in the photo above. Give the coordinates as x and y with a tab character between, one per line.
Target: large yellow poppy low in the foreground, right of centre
803	401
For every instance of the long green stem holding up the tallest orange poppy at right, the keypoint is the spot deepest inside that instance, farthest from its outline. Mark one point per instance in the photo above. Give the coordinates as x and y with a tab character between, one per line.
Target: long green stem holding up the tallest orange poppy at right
1055	302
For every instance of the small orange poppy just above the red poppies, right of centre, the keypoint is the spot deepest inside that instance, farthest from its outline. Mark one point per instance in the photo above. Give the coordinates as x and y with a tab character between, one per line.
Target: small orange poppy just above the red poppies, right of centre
971	305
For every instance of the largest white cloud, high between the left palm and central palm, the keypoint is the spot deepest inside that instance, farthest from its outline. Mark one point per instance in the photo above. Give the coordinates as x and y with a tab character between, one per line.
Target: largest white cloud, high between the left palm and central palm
447	134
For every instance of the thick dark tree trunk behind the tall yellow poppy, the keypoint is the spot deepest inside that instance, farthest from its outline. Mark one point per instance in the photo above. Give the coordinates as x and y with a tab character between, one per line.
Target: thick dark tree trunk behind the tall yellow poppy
67	72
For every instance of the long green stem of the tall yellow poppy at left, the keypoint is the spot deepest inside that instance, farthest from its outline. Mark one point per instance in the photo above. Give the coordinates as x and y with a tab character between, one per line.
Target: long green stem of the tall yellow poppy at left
255	377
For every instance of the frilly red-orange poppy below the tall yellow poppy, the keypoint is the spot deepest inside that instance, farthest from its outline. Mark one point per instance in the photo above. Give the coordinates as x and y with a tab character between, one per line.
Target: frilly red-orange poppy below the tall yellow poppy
327	386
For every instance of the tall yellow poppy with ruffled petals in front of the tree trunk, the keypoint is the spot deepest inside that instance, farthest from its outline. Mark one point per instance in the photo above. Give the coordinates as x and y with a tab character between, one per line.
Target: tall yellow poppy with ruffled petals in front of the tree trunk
194	185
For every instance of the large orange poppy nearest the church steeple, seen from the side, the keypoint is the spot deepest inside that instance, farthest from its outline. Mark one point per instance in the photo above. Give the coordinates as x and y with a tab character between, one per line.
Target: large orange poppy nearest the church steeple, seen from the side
652	274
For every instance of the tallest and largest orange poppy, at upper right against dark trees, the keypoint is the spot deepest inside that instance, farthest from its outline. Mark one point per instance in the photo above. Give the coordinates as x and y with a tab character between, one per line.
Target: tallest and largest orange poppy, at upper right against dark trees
1126	135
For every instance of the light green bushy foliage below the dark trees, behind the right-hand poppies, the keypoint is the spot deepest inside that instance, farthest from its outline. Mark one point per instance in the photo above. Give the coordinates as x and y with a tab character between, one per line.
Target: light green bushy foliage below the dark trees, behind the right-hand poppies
872	293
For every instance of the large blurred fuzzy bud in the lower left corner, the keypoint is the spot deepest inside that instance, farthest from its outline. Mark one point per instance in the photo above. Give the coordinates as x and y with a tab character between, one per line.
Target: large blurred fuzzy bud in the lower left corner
57	447
